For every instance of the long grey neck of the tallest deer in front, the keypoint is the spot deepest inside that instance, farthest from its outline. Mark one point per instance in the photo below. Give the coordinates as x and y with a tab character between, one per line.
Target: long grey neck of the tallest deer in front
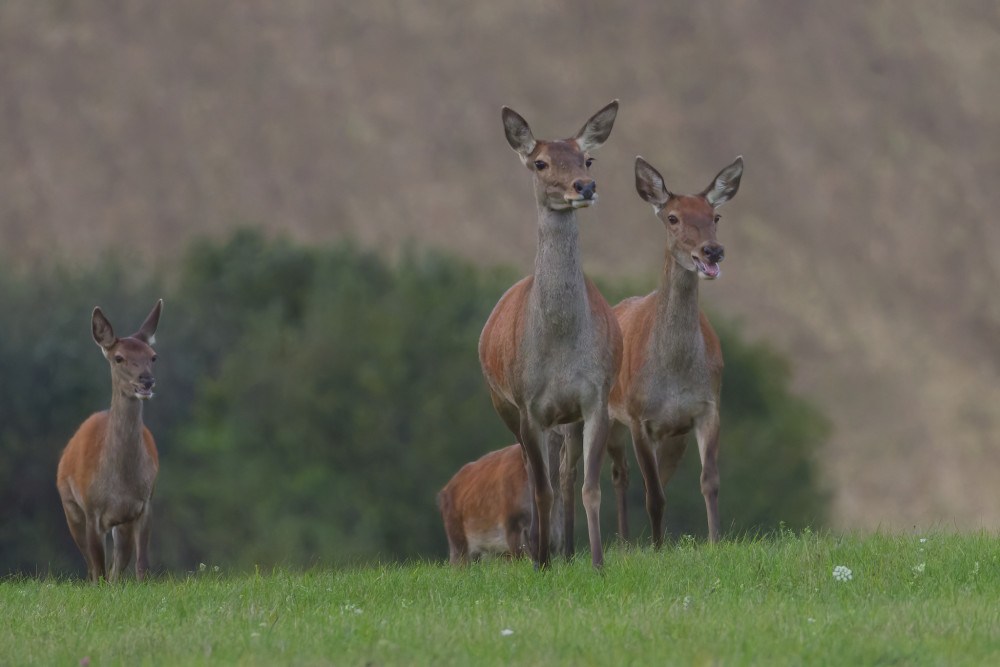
559	294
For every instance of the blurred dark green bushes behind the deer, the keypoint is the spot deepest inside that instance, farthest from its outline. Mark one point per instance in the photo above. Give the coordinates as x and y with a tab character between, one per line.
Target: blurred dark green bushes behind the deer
311	401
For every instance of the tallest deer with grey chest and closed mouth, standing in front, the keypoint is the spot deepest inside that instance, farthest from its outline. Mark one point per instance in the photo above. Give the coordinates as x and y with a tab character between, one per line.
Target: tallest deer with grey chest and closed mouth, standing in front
551	348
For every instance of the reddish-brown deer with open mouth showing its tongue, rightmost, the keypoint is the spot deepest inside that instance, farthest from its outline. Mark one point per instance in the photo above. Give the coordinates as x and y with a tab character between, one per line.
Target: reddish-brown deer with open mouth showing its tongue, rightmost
671	372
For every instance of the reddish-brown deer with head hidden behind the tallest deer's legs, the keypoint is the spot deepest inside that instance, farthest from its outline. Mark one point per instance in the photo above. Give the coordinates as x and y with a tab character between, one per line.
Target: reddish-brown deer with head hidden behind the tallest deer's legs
486	506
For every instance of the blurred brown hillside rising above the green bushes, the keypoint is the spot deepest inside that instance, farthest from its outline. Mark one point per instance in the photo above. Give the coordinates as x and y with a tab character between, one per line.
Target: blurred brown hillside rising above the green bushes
862	243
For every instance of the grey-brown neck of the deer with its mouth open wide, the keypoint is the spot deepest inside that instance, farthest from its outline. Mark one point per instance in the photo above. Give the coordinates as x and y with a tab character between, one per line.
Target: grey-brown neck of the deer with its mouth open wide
677	329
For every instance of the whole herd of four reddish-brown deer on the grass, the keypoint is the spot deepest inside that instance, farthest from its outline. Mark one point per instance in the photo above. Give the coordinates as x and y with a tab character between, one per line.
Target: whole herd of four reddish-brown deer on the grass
567	373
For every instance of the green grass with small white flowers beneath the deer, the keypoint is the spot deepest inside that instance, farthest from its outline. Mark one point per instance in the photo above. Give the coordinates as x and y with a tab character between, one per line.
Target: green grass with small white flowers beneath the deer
913	600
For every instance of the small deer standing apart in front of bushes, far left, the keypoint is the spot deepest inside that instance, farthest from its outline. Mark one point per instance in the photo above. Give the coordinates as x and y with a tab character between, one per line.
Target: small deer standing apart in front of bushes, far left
108	470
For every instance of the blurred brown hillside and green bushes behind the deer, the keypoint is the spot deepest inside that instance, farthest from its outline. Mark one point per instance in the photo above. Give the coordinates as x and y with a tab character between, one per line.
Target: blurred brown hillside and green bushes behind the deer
322	194
